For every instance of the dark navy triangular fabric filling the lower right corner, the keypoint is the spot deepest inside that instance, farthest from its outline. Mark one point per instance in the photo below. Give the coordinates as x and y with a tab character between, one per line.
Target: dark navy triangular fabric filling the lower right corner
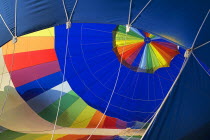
185	115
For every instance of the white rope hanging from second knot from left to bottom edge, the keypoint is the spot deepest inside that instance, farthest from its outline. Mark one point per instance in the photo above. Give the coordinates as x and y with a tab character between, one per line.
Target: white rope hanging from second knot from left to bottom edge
64	73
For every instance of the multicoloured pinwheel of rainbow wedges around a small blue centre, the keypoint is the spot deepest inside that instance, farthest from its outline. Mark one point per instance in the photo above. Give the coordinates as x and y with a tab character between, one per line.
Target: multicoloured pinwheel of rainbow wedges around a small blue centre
142	51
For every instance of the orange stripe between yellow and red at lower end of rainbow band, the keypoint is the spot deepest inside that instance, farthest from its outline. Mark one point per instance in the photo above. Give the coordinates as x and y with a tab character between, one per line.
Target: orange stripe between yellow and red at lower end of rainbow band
95	119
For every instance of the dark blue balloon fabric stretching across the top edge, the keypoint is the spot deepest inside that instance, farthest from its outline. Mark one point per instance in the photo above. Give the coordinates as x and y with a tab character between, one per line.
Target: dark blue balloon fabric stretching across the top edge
177	20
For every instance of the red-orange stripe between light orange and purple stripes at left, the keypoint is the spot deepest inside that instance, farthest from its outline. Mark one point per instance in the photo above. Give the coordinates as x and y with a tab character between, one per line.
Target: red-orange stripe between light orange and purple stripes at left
27	59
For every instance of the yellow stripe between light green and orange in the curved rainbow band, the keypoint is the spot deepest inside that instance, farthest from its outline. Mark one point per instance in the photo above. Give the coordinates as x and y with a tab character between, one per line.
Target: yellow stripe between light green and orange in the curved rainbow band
84	118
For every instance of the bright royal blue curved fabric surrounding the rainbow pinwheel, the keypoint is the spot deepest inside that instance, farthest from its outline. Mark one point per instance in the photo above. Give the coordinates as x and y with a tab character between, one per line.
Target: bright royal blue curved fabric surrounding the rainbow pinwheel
92	70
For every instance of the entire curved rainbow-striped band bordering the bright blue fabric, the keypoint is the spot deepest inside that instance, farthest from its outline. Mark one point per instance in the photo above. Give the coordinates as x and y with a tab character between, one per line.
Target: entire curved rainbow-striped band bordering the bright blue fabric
37	77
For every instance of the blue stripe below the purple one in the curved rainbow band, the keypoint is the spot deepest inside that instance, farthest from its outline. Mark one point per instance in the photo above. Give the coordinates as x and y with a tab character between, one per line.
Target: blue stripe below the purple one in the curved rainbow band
37	87
